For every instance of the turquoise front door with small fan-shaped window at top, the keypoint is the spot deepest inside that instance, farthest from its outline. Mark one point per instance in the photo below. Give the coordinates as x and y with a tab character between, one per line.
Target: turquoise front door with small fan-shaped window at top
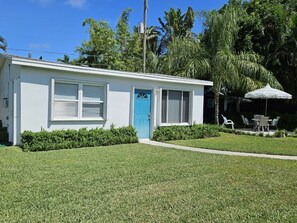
142	112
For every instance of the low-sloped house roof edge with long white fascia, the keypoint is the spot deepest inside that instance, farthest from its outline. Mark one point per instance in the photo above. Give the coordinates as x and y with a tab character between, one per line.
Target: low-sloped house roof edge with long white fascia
22	61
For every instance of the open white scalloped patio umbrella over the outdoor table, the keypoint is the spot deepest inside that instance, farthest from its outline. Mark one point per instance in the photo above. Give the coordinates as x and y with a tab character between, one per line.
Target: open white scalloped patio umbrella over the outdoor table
267	93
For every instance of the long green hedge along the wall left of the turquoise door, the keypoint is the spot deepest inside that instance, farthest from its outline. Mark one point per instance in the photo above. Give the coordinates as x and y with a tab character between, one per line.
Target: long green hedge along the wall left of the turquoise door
68	139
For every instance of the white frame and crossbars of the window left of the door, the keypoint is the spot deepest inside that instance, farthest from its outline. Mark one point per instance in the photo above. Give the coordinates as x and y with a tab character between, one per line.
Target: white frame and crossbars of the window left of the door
80	100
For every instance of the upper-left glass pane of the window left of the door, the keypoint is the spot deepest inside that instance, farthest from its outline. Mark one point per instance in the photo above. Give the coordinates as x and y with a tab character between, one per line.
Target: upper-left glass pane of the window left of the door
66	91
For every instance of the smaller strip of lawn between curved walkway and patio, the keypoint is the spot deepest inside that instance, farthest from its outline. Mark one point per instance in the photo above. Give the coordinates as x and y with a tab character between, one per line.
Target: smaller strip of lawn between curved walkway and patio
245	143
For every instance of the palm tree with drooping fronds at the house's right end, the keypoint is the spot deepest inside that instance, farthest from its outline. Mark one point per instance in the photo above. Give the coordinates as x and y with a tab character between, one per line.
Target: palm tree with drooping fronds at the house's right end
216	60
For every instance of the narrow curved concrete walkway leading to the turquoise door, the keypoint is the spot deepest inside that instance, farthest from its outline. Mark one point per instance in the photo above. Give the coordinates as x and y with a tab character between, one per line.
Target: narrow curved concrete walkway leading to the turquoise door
219	152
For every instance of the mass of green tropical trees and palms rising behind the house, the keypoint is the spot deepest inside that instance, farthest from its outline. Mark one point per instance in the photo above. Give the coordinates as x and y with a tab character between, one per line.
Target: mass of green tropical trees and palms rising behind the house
244	45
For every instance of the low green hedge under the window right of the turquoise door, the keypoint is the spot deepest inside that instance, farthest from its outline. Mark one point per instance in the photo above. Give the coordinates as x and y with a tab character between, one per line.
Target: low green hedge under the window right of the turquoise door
185	132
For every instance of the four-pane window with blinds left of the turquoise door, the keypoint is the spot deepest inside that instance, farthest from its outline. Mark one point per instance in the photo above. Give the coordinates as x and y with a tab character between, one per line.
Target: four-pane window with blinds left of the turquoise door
78	101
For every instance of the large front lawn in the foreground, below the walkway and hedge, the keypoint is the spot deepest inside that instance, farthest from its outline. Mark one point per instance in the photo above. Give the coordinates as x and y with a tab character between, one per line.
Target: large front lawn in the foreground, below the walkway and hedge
140	183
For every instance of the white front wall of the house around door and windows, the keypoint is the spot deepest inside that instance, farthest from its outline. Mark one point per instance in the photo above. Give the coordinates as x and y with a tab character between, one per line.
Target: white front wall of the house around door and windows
35	100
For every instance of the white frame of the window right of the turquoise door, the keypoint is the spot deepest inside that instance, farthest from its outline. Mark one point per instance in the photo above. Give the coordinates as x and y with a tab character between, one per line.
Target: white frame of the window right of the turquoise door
181	113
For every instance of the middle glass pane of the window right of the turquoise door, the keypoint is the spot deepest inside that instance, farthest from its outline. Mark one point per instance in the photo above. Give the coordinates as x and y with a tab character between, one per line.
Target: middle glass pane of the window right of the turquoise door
174	107
